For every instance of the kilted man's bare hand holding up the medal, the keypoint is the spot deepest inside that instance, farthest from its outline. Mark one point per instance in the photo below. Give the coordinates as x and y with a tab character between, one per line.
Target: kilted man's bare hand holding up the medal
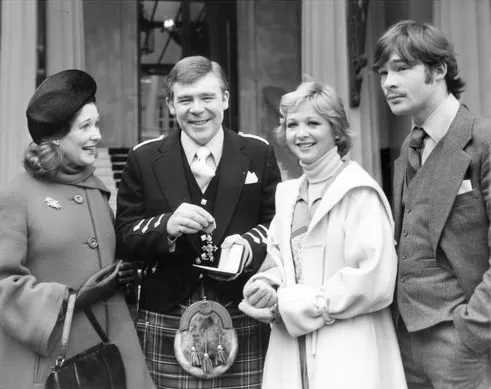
190	219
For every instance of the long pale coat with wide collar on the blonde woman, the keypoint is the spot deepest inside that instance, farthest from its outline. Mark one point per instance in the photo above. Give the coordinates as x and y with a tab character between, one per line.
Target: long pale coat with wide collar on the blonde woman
349	258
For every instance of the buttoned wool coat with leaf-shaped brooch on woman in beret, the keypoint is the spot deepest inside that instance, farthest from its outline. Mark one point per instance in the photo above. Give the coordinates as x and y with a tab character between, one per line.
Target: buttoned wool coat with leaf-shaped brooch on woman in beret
54	236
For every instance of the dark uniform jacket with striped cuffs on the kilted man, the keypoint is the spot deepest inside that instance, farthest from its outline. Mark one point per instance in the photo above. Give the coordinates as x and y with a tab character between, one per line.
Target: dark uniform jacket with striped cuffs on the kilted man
154	184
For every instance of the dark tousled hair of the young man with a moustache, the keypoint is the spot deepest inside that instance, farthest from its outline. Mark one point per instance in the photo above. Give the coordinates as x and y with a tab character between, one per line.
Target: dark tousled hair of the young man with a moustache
417	42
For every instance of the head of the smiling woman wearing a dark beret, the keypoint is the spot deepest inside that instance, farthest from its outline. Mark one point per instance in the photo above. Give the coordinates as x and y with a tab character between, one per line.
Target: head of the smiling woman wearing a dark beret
63	121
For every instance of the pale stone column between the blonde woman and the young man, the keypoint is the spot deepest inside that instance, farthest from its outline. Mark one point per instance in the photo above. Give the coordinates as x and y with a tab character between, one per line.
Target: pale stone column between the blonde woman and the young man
325	59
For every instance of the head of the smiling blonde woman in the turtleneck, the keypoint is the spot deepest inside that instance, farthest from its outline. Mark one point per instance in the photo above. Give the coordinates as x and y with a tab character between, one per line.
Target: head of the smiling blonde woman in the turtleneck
313	122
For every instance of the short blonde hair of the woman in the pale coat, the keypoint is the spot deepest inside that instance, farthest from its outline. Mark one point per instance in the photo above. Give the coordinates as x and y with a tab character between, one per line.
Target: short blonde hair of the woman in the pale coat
326	103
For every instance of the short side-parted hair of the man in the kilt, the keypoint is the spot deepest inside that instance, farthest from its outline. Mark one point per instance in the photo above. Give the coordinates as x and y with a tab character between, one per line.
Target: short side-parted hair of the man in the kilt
190	69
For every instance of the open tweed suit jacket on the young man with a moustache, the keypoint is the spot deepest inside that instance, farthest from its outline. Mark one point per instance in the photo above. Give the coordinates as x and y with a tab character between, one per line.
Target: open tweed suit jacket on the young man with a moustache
459	221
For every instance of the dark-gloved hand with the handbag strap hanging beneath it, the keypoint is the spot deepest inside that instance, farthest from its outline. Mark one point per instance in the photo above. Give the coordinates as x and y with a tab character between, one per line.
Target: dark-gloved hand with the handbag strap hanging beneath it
99	286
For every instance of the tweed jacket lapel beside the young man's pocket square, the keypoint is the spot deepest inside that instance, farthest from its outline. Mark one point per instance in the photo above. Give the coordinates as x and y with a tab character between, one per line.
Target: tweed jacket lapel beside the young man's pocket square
449	172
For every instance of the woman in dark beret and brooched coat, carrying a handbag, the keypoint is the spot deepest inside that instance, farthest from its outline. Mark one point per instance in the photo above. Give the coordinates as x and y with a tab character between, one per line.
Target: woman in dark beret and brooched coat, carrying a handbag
56	235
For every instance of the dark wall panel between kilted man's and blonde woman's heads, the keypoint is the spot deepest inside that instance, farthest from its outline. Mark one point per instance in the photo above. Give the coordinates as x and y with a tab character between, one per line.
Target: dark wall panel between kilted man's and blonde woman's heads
269	64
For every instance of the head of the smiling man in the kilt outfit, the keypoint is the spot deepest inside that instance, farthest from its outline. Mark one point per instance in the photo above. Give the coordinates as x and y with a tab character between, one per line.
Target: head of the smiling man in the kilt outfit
197	94
